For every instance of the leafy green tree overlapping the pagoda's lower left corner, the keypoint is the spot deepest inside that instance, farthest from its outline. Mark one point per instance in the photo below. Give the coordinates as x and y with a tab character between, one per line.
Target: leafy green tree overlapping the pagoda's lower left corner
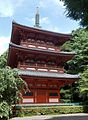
10	88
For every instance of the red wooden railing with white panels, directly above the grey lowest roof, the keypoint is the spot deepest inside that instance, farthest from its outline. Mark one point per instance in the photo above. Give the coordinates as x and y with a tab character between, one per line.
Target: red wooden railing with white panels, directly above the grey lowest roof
40	68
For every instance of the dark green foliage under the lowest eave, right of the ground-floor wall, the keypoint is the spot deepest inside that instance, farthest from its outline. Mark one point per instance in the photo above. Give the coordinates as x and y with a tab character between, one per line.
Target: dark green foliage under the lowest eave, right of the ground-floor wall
70	93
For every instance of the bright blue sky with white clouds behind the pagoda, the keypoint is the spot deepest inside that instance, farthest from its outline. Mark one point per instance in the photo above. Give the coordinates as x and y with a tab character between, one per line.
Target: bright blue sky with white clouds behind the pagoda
52	17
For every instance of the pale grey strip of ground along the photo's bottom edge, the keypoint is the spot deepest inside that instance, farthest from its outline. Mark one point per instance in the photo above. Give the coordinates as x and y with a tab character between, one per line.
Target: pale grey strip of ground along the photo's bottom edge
80	116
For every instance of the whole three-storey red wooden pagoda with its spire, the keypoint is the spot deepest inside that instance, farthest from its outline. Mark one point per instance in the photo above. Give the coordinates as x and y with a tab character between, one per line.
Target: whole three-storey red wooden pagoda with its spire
40	62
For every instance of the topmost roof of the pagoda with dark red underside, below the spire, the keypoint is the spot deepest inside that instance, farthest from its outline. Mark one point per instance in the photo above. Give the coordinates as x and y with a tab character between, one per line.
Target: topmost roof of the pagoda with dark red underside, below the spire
24	32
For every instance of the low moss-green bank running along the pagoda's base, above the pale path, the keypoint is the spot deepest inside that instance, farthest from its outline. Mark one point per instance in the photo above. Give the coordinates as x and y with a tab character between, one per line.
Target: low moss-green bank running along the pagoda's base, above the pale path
28	111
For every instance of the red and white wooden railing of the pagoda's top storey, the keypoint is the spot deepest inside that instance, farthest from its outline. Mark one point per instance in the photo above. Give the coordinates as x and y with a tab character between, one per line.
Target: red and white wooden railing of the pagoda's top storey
40	46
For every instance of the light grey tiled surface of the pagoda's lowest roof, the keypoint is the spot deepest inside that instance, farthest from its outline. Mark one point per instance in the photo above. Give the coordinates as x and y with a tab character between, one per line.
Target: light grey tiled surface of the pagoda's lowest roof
47	74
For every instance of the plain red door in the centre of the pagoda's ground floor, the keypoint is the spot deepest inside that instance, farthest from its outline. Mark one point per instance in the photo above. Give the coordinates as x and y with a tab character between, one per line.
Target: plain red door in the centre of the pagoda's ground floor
41	96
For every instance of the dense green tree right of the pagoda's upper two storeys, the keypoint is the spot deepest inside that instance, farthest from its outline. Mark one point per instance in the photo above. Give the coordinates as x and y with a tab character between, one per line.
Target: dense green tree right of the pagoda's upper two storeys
79	44
